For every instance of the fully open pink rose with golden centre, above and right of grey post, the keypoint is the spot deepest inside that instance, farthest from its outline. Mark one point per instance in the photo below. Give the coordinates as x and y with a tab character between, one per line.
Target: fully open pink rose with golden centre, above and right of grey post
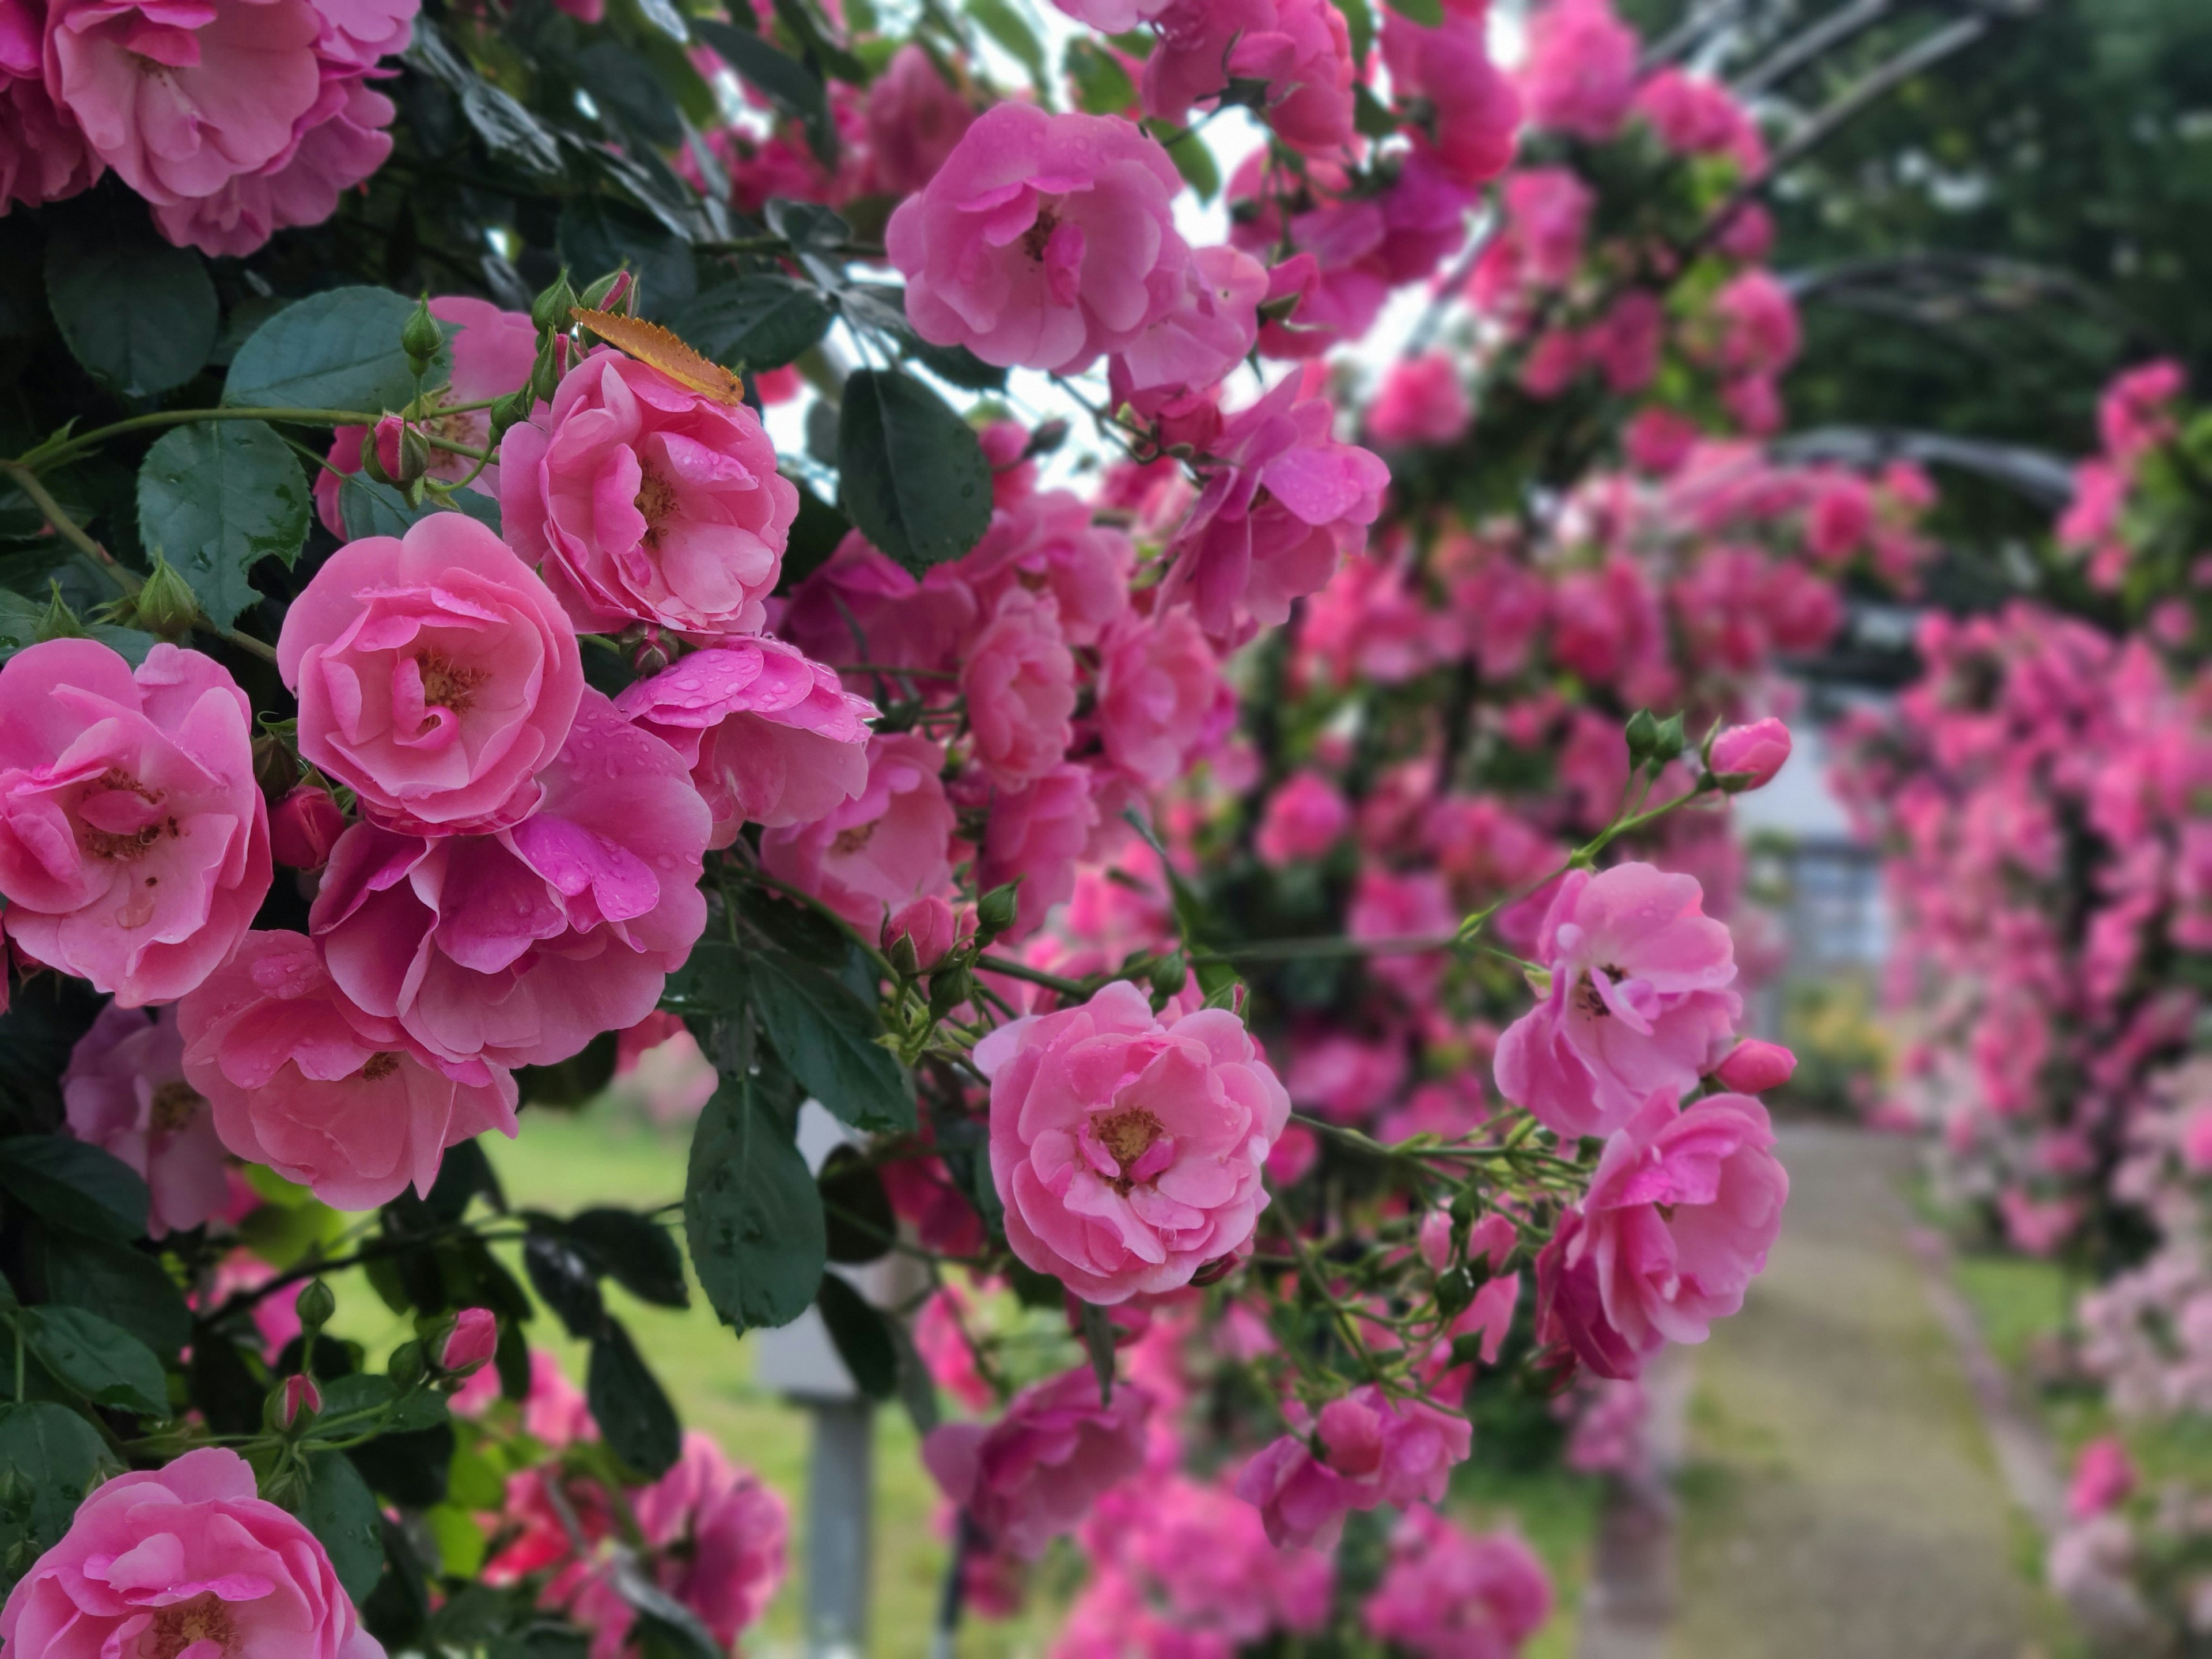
1129	1149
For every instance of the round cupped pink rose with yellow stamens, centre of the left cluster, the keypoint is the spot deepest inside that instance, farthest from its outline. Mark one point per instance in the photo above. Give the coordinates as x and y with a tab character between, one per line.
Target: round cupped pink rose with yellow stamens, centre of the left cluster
437	676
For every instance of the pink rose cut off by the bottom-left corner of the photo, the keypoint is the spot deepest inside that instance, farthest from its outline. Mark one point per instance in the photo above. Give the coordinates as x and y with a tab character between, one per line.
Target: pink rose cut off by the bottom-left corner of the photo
185	1561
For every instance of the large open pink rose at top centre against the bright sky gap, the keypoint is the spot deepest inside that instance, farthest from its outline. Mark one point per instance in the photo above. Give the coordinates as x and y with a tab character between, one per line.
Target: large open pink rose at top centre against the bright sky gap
1043	242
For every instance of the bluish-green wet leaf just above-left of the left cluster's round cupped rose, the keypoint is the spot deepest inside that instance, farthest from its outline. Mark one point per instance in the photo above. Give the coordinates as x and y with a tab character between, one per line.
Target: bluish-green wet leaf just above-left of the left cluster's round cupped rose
216	499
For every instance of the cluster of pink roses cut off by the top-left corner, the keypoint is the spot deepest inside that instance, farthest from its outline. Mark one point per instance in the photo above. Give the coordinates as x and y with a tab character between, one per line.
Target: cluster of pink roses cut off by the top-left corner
233	118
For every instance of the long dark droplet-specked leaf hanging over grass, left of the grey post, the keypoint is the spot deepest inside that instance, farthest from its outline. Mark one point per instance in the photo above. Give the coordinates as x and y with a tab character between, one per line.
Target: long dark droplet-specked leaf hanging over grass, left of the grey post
751	1213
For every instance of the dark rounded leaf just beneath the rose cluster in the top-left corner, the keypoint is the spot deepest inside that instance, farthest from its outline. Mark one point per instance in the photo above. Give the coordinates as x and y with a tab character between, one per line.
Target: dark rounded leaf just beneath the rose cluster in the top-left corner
134	311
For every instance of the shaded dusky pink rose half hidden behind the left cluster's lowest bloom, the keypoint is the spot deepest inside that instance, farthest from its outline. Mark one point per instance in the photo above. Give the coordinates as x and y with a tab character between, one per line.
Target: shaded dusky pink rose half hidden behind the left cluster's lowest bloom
125	1092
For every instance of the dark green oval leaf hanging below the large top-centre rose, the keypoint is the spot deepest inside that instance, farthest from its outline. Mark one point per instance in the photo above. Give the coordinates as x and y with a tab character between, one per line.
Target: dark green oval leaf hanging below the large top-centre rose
912	472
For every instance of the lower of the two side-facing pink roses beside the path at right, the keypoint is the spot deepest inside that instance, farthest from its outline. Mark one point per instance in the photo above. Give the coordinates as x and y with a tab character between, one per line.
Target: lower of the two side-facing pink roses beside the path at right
1678	1222
